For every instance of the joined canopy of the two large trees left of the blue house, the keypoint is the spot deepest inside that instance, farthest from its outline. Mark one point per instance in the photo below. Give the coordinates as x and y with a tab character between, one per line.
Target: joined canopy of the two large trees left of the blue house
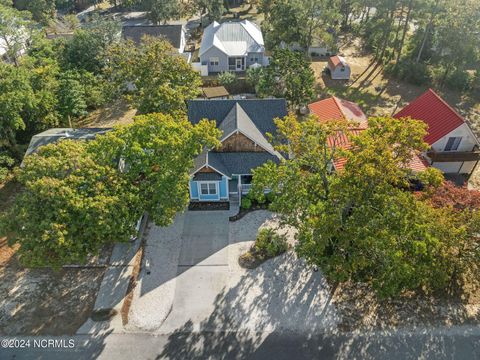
76	198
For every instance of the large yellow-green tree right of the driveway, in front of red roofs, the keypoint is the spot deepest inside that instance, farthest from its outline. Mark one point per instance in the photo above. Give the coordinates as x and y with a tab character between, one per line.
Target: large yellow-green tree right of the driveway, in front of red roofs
362	223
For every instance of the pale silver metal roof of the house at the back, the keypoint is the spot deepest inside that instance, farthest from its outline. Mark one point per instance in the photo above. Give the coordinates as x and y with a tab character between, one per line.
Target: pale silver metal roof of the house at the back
233	38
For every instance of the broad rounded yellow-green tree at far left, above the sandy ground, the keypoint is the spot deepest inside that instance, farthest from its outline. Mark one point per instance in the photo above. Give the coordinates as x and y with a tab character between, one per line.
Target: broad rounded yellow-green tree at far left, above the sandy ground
70	206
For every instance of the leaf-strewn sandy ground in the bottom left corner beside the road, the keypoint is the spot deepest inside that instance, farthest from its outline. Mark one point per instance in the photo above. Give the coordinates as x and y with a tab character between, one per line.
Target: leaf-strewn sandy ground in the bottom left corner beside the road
44	302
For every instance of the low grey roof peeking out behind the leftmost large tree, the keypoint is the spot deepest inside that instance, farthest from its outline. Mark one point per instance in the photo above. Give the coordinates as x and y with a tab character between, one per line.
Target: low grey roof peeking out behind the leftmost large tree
51	136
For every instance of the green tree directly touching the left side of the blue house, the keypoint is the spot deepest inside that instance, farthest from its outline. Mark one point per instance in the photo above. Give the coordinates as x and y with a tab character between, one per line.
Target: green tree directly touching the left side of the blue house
158	151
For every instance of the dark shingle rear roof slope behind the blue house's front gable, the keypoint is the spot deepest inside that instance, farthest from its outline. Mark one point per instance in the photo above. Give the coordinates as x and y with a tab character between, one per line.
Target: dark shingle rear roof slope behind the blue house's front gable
260	111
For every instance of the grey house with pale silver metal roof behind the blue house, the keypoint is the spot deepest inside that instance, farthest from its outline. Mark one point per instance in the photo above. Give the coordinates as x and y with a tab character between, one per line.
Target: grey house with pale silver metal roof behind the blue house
232	46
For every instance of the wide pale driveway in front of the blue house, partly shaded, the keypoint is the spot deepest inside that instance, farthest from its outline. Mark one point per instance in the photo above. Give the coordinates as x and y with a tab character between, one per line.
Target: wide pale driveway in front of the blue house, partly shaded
196	283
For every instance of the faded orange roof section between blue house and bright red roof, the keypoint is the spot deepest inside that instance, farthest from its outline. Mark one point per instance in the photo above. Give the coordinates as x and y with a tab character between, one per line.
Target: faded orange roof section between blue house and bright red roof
335	108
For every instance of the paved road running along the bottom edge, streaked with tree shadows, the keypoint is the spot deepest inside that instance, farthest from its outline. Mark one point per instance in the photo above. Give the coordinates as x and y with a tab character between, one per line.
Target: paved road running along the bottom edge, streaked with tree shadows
459	343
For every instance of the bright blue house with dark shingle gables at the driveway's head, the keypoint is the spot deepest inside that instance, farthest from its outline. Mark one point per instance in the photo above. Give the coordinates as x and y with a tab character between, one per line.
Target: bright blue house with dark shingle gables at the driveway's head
222	174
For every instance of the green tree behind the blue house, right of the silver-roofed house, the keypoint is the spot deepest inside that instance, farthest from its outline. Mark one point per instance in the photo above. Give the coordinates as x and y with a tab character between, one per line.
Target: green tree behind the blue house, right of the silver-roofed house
290	76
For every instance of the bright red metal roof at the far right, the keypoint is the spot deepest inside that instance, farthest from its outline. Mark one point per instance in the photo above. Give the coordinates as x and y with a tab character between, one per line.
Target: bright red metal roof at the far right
430	108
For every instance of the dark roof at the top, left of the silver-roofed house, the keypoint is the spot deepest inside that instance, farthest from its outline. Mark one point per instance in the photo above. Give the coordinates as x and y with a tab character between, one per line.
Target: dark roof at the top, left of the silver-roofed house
173	33
